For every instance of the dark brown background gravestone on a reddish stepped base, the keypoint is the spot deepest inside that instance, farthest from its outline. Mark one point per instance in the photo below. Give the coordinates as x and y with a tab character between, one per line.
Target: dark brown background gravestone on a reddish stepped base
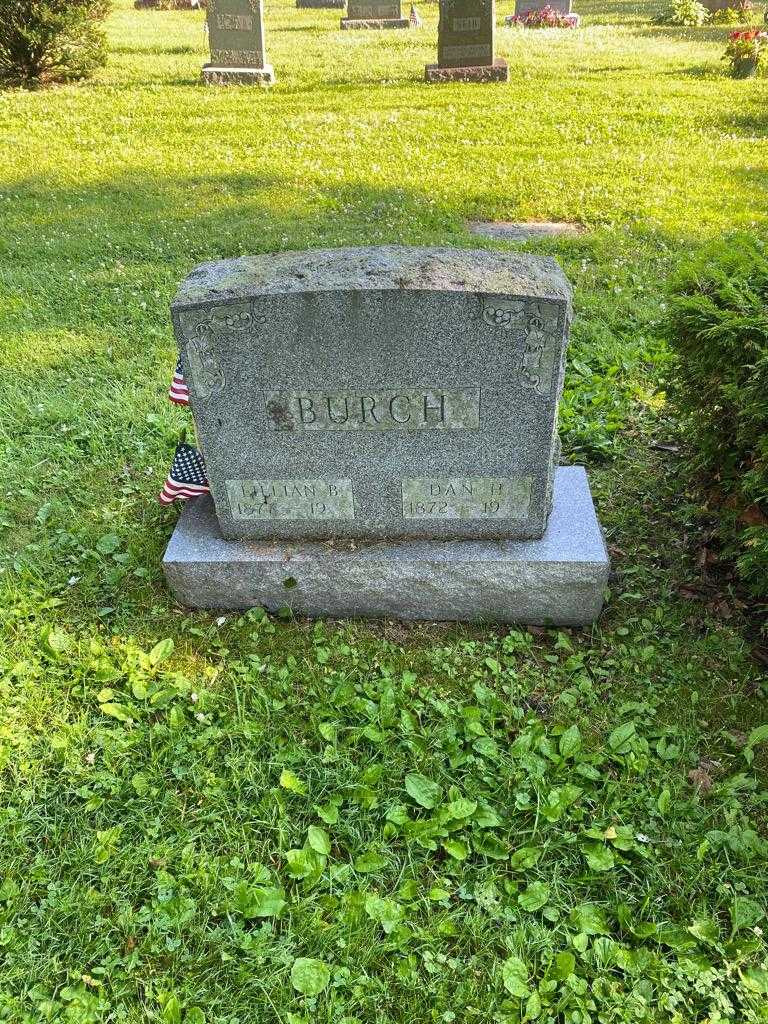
465	45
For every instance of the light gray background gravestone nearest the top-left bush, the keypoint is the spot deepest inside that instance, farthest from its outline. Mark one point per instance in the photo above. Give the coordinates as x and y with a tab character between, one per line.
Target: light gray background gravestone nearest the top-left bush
236	30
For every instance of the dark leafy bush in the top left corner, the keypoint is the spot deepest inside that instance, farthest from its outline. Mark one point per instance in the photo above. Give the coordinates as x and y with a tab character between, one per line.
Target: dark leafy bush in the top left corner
46	41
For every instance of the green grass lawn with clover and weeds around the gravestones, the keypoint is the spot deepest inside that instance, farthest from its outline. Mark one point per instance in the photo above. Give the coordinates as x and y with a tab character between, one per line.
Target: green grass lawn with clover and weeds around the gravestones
258	820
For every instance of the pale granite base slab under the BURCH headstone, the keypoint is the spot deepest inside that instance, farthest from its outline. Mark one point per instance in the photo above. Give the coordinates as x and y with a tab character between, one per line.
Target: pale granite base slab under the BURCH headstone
559	580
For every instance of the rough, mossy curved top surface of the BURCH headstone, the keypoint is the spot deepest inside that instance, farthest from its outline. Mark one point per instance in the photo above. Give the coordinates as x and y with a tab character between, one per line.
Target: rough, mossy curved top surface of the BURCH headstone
376	269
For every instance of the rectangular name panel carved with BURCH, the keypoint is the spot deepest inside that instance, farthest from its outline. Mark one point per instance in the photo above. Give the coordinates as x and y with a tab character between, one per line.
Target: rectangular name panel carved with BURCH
407	409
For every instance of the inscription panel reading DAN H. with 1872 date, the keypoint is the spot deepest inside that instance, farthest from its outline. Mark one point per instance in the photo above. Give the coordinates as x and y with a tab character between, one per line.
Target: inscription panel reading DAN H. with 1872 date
466	498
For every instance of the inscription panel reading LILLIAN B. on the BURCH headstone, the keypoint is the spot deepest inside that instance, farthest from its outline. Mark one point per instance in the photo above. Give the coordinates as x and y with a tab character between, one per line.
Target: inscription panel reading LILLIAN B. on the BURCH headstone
296	499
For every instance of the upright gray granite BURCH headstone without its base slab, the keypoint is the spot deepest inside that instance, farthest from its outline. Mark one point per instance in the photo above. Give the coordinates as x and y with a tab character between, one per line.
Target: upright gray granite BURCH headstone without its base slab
377	394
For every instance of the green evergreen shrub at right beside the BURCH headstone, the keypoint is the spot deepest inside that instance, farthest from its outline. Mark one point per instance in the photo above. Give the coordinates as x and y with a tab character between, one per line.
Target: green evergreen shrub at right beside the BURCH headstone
718	325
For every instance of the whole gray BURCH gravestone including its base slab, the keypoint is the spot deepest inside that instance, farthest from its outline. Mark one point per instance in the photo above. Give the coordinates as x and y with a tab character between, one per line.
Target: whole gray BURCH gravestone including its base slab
379	429
